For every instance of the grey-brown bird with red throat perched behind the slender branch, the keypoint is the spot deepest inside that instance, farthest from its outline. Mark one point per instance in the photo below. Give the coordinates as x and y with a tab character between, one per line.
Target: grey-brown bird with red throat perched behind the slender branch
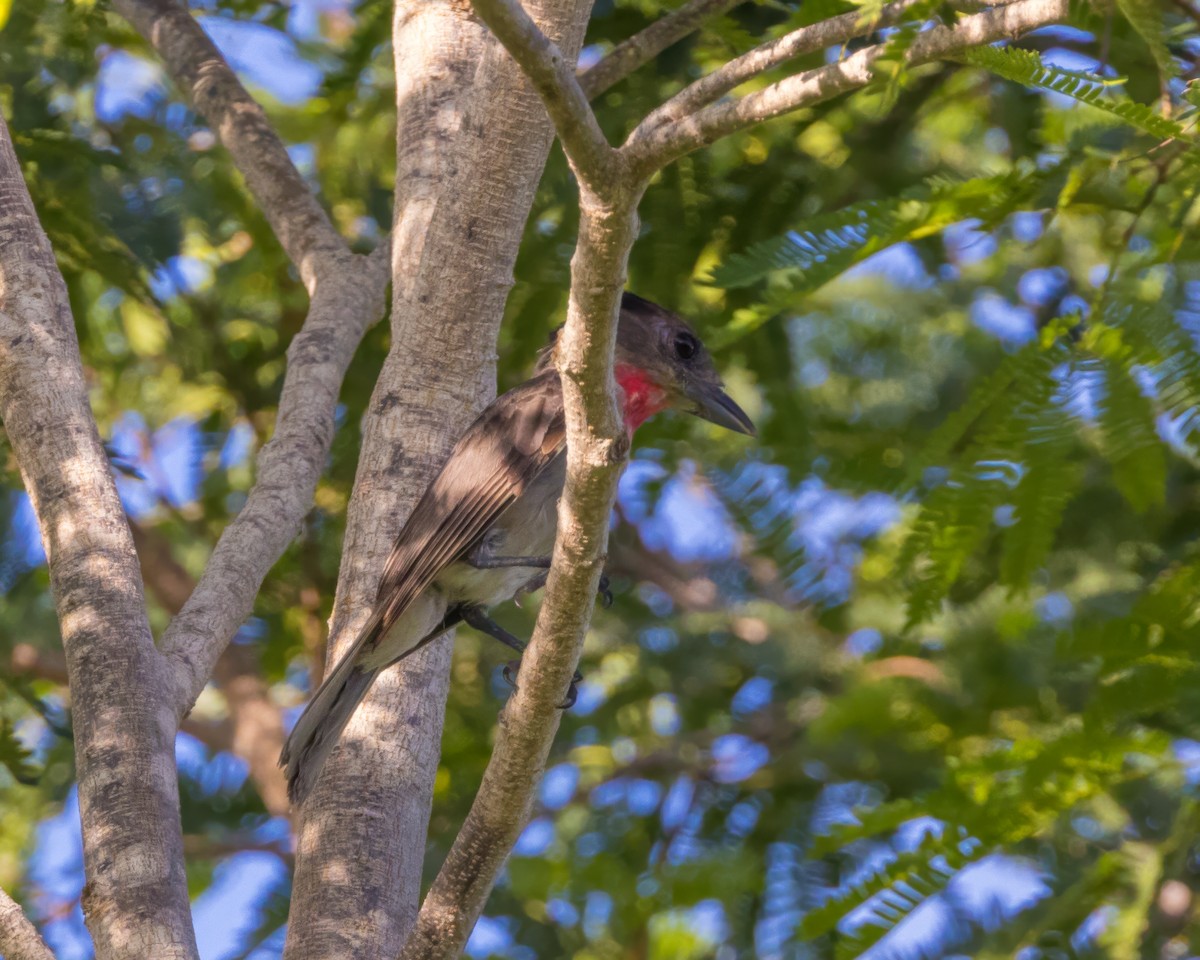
483	532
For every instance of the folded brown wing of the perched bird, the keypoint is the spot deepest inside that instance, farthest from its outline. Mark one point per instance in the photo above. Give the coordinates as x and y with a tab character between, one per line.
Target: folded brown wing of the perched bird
500	455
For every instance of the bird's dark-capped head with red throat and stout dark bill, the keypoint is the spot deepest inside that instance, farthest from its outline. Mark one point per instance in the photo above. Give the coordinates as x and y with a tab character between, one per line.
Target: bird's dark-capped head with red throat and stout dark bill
662	365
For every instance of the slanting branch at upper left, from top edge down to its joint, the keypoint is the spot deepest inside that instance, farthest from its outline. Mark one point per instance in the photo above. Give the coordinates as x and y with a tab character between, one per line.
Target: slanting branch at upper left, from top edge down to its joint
214	89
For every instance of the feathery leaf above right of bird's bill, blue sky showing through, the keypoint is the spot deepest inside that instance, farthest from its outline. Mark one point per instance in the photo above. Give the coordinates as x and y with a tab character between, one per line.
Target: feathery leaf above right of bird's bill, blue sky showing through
833	243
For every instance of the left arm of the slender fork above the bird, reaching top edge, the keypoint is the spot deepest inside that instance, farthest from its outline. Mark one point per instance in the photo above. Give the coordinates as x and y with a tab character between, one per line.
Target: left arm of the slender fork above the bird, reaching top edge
554	77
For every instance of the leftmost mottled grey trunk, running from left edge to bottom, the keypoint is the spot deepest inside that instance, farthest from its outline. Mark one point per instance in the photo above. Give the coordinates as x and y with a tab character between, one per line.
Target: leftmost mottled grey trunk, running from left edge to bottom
136	899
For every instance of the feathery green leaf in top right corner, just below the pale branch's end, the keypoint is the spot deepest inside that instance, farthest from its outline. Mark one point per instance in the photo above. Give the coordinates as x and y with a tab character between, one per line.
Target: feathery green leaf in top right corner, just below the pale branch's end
1027	68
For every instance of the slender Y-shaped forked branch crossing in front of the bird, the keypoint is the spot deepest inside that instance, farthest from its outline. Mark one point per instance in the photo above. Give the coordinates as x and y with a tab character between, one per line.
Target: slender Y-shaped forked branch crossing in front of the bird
611	188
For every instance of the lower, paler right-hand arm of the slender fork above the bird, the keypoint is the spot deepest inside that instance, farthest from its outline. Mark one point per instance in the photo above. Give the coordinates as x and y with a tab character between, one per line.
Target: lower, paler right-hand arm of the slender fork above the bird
650	151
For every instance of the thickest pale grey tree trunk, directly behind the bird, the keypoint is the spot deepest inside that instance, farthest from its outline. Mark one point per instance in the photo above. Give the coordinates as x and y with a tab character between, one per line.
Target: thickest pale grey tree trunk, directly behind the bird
466	178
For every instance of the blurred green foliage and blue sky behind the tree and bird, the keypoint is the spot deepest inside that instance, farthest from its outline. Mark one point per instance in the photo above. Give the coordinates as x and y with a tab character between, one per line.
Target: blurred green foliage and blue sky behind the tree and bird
911	676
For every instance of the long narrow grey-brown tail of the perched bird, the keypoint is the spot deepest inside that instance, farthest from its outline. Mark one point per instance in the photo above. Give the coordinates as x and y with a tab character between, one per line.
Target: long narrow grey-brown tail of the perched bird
321	725
